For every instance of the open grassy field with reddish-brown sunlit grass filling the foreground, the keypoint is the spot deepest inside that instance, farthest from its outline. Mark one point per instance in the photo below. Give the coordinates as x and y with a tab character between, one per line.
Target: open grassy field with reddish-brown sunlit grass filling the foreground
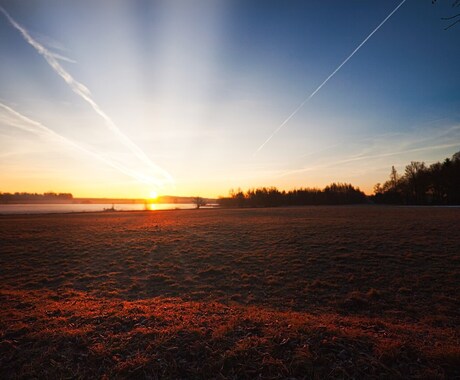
313	292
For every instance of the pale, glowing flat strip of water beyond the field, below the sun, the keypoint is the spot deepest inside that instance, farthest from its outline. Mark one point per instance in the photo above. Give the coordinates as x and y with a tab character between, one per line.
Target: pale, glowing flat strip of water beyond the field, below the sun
78	207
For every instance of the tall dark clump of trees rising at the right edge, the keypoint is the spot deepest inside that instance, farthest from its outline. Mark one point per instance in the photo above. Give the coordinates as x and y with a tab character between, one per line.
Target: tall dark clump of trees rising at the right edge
437	184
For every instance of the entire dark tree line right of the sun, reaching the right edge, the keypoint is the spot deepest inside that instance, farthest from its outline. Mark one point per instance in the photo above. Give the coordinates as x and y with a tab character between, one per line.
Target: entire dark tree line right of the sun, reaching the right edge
437	184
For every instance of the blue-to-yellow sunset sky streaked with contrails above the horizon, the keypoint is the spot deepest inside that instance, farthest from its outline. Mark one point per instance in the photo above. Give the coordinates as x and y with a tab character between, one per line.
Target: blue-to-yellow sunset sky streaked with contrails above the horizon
128	98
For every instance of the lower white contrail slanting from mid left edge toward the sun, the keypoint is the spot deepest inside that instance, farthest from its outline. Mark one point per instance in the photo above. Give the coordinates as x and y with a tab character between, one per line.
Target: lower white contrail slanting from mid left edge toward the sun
32	126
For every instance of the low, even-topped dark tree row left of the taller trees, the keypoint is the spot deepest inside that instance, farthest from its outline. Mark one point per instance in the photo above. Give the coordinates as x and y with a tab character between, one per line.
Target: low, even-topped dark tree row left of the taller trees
336	193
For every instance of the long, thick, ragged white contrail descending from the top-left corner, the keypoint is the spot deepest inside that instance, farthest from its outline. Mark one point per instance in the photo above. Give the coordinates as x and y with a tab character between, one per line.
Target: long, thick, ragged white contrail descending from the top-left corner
82	91
